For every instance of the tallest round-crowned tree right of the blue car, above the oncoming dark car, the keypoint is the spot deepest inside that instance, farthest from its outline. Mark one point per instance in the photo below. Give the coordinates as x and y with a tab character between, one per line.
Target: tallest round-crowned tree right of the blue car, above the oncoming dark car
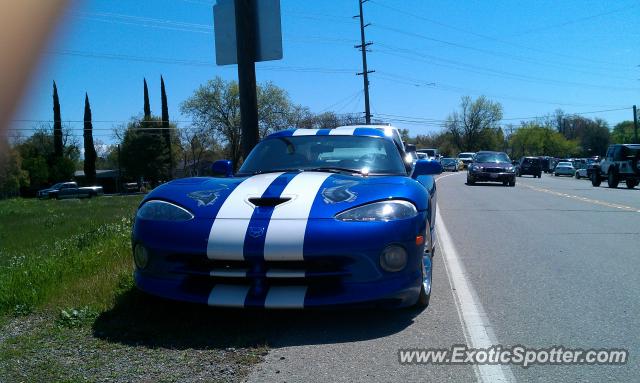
473	125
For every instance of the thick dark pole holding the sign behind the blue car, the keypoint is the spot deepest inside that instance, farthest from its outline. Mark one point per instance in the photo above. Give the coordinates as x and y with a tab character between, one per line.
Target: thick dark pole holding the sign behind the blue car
246	34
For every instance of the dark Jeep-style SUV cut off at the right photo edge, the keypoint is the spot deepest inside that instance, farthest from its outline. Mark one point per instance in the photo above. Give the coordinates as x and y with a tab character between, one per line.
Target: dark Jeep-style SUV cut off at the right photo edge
621	163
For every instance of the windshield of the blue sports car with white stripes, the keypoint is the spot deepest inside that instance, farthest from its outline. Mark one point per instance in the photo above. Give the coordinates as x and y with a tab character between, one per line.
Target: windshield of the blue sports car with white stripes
373	155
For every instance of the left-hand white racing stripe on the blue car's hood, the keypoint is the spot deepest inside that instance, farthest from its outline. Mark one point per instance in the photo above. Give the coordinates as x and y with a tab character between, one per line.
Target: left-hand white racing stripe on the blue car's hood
226	238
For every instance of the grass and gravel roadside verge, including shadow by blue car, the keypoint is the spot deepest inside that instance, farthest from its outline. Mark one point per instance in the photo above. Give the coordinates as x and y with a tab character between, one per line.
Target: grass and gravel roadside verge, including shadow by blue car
69	310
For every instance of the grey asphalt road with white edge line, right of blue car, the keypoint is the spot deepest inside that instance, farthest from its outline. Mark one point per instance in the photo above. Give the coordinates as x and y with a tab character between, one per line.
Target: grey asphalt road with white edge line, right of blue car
552	261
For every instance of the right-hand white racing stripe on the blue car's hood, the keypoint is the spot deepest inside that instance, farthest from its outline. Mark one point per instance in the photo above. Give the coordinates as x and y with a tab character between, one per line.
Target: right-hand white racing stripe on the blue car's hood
285	235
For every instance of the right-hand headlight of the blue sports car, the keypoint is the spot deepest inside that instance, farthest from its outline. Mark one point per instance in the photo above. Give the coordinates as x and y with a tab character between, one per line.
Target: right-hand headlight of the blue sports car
380	211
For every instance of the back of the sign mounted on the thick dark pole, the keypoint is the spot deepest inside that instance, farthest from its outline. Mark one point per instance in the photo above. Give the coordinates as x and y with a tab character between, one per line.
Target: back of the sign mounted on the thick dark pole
268	42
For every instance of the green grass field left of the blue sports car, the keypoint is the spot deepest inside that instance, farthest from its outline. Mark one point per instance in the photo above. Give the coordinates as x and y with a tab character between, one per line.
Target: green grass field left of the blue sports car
70	253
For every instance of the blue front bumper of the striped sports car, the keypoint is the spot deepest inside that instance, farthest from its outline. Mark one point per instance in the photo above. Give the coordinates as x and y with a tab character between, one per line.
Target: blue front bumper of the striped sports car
341	266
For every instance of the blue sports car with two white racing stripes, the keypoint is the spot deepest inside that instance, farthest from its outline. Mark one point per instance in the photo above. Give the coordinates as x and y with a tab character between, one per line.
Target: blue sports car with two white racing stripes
313	218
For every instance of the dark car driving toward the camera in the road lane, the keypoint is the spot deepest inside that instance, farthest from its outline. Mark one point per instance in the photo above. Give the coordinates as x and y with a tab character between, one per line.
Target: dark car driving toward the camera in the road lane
491	167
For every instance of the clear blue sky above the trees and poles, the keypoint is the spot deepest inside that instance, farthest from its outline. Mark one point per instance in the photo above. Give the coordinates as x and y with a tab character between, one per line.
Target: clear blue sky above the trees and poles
533	57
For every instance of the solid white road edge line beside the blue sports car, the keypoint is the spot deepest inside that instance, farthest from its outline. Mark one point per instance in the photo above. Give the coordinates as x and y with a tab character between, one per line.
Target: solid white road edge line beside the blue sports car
478	330
